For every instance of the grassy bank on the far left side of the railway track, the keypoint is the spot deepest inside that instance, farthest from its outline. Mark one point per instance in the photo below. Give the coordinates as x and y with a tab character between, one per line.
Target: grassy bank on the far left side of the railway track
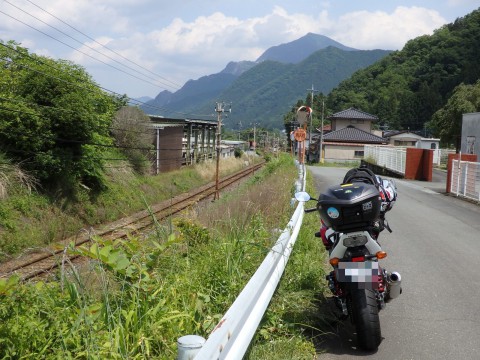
31	220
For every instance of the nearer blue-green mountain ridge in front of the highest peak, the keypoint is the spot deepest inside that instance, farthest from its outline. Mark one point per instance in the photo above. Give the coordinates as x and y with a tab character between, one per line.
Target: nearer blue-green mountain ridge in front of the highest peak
266	92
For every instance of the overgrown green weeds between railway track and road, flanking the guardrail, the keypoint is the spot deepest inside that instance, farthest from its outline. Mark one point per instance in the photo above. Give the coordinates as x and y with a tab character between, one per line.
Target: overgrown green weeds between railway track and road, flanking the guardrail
138	296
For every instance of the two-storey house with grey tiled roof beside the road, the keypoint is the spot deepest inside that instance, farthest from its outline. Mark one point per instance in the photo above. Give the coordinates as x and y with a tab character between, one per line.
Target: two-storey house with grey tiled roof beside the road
351	131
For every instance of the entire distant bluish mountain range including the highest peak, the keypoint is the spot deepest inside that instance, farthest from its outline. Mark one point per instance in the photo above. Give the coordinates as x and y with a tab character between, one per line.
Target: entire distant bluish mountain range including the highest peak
260	91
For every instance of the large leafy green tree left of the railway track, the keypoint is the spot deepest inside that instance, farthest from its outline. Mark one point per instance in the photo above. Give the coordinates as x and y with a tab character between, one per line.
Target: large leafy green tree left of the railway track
53	119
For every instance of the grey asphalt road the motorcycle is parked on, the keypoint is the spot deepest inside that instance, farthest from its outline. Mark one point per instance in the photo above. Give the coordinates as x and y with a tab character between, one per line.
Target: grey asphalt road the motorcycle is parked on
435	245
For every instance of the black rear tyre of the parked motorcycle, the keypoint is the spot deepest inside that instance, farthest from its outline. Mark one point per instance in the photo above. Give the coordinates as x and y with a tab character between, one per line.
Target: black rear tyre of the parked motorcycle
366	319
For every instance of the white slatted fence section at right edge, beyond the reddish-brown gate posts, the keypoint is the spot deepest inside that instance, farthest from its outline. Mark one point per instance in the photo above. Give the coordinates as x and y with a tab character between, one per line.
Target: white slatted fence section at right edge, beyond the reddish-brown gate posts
465	179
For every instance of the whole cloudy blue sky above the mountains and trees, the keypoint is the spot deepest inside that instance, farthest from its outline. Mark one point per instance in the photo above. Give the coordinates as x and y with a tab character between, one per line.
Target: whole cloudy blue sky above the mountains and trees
141	47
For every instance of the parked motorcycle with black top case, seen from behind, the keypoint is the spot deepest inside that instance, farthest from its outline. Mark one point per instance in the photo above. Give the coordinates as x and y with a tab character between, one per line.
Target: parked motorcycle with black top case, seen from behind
353	215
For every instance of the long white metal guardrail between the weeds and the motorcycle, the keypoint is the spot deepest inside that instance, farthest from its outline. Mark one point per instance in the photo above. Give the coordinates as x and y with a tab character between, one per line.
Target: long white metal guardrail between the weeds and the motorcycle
232	335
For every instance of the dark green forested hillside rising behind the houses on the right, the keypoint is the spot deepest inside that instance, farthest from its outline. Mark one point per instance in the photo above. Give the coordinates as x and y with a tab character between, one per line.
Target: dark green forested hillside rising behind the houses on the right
406	88
